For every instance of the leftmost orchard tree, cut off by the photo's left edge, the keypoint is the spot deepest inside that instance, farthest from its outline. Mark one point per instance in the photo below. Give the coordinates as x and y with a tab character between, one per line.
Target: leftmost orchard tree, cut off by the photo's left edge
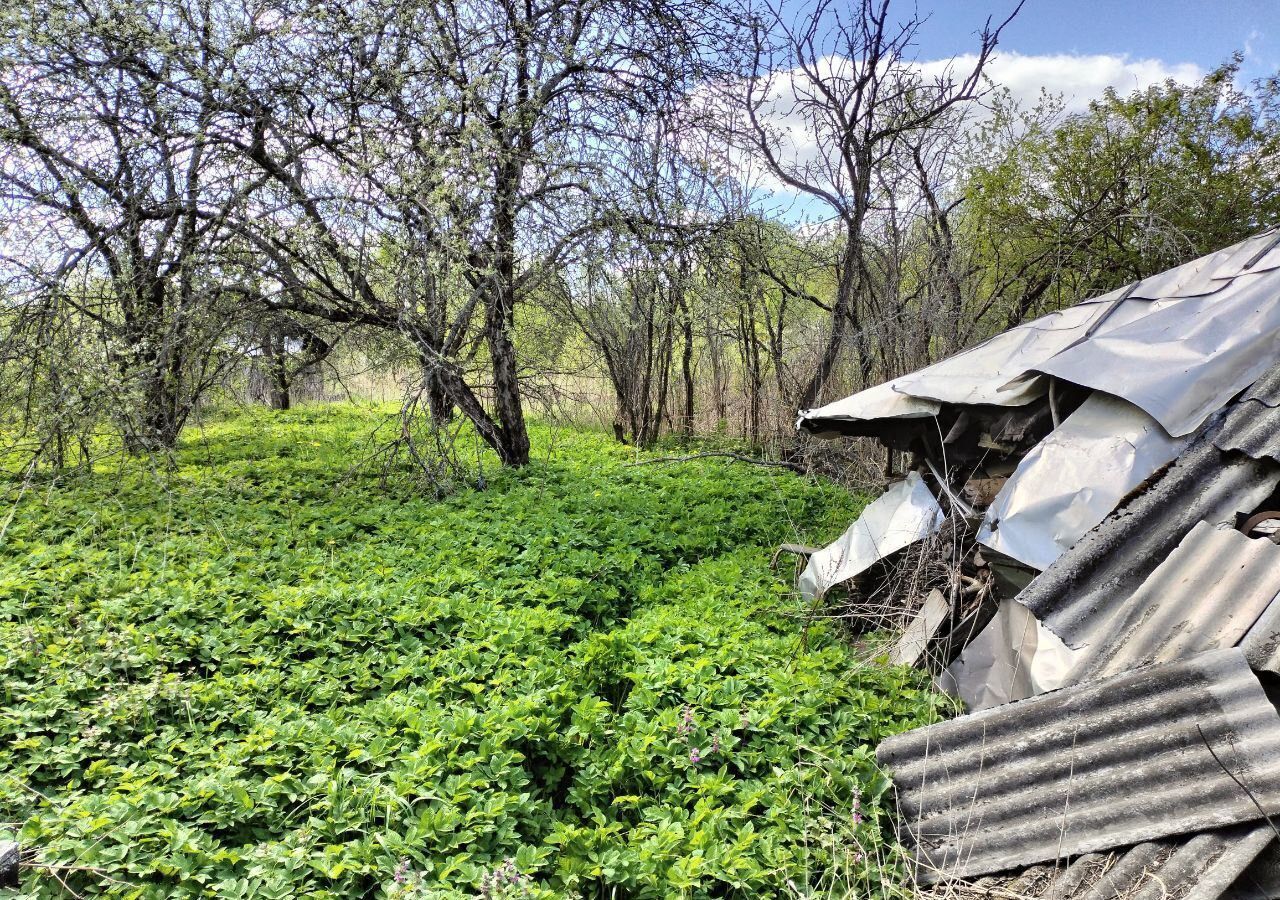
117	199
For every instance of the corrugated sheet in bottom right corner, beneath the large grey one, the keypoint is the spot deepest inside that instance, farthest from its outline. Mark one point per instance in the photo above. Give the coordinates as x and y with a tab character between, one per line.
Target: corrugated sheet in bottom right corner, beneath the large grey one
1204	867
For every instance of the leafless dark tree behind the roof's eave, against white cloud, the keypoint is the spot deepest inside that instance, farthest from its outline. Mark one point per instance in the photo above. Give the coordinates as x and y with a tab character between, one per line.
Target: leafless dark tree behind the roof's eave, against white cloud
866	103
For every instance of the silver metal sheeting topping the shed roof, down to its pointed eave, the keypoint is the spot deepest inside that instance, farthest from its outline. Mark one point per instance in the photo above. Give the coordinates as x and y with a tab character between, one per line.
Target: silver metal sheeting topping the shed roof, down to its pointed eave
1178	345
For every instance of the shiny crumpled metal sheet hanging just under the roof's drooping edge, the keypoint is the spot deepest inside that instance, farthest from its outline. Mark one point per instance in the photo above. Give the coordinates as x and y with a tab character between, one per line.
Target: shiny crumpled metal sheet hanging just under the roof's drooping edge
1071	481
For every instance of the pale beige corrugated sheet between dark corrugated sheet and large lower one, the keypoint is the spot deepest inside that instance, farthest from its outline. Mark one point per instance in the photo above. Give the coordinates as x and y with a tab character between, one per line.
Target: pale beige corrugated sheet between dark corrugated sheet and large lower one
1205	596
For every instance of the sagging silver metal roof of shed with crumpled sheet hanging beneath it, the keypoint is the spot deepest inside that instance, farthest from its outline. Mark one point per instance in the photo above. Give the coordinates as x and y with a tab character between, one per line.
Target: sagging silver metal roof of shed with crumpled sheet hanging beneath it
1091	401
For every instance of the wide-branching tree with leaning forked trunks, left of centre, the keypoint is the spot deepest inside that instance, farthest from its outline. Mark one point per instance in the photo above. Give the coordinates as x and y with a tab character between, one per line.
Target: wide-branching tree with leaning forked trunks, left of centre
476	138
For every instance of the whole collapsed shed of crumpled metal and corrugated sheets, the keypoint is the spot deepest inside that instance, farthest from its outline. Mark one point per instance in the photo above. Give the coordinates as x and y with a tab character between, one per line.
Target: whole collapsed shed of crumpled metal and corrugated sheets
1113	625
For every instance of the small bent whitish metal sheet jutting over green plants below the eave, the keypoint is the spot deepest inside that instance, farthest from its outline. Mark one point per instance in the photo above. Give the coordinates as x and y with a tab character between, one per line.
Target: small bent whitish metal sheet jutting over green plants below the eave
903	515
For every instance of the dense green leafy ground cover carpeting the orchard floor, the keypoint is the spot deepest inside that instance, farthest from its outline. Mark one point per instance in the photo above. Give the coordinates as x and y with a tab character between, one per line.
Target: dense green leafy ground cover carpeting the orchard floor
269	674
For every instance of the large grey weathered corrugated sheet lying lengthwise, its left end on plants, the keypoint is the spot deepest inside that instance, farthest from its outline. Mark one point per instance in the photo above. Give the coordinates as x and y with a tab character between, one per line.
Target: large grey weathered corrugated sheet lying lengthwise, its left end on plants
1108	764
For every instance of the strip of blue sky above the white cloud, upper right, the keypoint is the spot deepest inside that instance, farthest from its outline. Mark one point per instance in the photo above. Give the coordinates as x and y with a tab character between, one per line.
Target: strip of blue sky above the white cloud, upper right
1174	31
